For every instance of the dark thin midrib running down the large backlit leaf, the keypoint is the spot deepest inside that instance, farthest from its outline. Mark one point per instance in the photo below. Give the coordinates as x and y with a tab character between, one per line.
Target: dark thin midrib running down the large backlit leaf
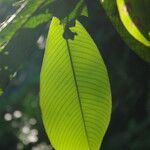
77	89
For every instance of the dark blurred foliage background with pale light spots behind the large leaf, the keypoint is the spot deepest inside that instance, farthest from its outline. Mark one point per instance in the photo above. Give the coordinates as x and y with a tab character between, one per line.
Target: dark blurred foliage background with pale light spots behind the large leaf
20	63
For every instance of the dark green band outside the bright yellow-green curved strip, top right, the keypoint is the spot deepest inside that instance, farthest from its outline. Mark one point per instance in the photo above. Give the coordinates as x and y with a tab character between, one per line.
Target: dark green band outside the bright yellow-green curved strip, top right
112	11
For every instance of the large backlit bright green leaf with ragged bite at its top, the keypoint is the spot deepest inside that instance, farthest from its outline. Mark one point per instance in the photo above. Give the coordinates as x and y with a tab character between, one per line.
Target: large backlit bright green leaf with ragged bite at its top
75	96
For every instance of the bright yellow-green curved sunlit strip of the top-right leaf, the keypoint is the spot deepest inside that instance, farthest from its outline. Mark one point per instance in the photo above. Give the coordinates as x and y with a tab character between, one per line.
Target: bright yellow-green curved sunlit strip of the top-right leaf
130	23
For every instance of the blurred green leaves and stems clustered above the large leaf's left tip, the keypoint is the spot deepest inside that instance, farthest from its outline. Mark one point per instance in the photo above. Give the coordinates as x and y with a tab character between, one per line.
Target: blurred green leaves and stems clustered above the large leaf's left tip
23	16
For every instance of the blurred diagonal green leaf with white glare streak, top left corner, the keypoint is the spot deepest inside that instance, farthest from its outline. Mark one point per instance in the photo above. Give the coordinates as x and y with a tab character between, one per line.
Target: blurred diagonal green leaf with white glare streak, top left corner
17	20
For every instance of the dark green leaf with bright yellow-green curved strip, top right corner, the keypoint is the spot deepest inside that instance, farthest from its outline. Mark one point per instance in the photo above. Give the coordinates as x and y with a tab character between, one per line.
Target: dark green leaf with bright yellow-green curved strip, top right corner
122	21
